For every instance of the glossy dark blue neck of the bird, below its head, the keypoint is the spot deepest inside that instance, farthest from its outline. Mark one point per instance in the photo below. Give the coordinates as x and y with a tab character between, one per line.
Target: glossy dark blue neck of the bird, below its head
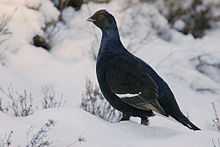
111	42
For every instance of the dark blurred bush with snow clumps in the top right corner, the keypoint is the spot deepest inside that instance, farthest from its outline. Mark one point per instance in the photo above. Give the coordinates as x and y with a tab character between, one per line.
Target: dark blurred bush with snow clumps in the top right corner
190	16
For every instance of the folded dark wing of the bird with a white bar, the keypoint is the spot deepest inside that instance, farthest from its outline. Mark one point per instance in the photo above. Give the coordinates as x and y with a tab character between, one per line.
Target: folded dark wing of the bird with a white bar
128	78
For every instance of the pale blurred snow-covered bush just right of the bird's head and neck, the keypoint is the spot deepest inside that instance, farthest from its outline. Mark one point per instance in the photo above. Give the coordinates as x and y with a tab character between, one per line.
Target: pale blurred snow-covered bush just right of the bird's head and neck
142	20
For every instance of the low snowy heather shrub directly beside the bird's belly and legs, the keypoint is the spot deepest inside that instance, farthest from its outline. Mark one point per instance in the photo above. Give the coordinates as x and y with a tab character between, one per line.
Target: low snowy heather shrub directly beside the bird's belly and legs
94	103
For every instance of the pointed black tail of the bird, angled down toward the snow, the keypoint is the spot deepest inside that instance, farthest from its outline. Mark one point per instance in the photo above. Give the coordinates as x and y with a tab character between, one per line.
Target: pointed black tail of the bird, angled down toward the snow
185	121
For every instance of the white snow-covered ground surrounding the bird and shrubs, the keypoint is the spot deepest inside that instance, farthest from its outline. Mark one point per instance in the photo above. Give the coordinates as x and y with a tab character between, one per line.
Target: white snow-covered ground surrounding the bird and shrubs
184	62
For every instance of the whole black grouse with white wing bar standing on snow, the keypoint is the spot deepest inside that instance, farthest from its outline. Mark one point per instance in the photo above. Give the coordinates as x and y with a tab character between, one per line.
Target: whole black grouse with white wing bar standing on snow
128	83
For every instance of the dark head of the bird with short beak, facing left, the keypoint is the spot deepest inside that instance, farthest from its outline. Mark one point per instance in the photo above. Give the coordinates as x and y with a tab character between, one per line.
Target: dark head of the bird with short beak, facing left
104	20
